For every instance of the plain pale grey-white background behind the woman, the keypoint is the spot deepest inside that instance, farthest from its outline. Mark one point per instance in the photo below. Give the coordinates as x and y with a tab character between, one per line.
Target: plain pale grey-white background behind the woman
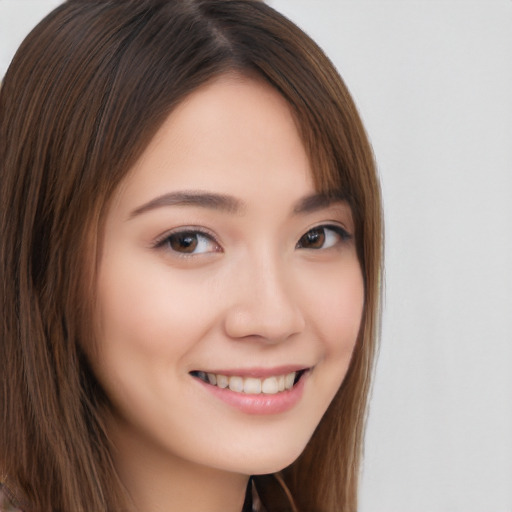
433	82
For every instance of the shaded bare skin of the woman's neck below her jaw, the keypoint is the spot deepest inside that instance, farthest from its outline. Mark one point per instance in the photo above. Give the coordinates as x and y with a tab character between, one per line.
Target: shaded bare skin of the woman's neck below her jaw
157	481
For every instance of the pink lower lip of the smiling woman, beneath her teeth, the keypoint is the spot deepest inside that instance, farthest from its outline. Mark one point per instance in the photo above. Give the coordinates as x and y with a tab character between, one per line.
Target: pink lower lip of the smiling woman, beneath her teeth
261	403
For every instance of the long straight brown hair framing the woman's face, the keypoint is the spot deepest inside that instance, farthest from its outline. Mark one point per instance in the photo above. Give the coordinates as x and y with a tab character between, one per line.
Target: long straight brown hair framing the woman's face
84	95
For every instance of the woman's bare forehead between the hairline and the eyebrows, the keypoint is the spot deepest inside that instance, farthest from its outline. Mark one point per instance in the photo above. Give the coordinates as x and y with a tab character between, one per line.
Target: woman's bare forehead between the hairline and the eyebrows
231	136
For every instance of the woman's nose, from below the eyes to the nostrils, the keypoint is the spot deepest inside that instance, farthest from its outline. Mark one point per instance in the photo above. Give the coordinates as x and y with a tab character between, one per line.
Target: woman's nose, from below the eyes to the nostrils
265	303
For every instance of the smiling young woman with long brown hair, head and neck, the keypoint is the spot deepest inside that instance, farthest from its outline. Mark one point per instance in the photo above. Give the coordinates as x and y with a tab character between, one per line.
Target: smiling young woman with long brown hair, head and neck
191	247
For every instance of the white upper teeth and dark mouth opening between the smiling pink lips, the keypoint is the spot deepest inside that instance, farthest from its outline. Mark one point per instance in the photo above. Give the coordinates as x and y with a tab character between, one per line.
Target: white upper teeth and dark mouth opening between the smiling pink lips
251	385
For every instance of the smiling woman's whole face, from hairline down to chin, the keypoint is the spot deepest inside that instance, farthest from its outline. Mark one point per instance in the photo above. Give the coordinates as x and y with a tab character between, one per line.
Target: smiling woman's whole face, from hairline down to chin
221	266
